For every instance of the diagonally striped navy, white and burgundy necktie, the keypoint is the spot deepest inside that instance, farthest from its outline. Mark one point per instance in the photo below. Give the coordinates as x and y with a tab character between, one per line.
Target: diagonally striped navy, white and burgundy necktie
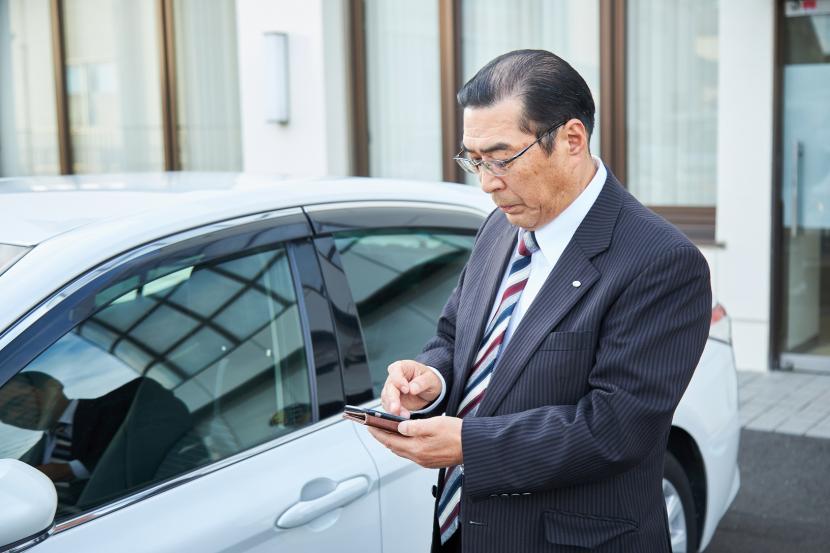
482	370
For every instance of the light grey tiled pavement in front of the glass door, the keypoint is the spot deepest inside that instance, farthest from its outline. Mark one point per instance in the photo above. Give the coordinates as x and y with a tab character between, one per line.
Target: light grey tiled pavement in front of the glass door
785	402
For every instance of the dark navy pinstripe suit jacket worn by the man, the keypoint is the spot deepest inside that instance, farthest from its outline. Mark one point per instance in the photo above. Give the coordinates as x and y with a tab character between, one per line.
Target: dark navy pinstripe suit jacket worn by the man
565	453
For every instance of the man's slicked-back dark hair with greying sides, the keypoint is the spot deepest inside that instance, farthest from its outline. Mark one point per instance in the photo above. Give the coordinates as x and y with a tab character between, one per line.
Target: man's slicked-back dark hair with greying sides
551	91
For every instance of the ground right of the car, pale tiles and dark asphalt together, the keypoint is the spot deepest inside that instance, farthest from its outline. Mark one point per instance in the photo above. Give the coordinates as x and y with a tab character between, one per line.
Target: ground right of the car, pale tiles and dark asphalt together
784	502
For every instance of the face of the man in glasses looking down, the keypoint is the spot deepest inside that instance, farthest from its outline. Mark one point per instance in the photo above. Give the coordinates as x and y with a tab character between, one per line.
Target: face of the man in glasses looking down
534	190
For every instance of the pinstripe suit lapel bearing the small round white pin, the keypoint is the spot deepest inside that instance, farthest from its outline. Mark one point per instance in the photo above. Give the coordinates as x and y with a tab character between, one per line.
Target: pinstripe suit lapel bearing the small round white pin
559	293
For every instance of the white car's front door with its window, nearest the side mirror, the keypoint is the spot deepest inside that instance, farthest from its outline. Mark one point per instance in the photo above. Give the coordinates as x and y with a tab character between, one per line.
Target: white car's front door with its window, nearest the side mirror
200	383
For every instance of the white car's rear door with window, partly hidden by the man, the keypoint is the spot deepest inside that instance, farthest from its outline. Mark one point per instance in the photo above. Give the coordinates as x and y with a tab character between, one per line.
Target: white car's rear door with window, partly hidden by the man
391	267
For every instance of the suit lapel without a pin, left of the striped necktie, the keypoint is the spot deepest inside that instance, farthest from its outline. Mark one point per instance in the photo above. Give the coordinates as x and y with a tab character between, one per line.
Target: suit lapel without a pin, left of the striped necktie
473	316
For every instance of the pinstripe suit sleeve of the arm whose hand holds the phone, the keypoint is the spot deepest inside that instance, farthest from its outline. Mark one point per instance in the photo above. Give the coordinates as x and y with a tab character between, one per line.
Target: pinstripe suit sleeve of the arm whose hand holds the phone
650	342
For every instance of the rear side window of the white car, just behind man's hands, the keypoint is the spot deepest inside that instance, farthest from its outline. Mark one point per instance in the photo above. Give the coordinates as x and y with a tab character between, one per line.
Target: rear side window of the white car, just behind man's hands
400	280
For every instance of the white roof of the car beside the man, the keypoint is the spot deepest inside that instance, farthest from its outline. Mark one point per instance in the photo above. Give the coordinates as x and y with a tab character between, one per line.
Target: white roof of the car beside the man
74	224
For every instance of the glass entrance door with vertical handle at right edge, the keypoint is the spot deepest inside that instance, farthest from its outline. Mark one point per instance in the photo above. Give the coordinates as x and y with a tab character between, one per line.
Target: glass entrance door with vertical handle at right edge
805	189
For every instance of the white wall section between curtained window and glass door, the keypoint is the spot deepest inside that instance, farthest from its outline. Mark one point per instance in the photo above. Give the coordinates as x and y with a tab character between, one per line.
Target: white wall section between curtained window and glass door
741	270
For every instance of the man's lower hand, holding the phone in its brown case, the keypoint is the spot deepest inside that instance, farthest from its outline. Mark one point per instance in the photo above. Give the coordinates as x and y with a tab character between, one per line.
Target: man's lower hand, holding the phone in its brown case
432	443
